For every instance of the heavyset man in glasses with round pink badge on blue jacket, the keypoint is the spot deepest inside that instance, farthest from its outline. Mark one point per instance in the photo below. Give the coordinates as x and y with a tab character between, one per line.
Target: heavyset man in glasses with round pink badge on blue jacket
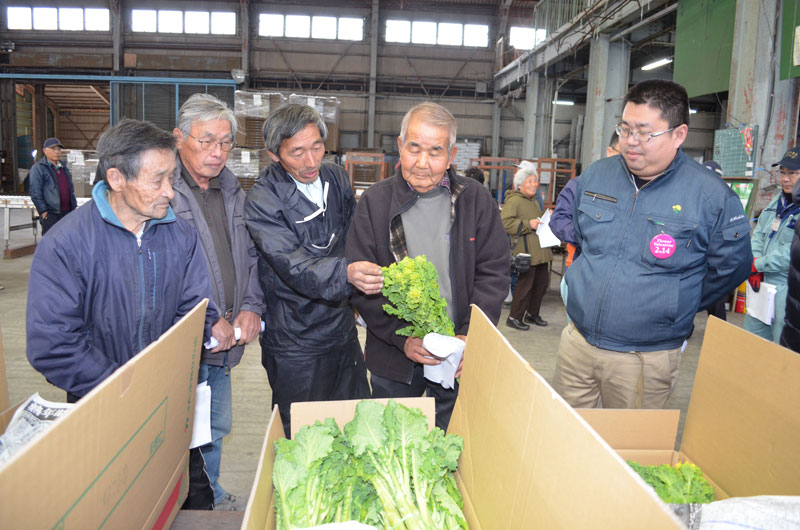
661	238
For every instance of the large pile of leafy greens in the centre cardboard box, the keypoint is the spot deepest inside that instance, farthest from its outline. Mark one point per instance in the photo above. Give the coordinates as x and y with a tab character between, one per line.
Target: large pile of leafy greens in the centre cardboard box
386	470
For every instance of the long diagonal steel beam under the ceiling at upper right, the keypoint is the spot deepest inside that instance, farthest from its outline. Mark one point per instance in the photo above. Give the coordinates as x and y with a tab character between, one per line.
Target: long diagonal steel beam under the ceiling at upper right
600	17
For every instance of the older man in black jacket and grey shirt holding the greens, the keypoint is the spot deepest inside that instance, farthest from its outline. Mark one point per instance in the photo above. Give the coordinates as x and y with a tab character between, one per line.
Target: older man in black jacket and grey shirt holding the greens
425	208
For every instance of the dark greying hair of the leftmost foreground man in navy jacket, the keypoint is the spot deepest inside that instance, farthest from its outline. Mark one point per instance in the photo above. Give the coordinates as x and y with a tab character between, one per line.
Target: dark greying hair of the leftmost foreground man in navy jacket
123	145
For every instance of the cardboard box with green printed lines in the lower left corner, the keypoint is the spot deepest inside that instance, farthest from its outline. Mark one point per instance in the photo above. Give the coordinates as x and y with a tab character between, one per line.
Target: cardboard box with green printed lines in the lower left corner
119	458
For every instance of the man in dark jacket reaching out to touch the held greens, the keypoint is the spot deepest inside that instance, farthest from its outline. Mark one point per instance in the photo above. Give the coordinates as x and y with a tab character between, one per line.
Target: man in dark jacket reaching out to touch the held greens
298	213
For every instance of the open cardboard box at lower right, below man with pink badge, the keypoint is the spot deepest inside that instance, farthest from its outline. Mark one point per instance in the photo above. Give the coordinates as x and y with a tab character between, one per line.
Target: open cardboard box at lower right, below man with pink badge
743	422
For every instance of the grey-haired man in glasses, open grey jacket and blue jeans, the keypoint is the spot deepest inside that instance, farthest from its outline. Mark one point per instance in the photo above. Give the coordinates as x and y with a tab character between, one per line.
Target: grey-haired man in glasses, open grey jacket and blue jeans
208	195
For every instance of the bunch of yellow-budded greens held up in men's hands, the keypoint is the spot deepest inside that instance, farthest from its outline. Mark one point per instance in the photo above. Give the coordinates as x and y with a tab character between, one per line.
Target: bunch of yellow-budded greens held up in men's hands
412	287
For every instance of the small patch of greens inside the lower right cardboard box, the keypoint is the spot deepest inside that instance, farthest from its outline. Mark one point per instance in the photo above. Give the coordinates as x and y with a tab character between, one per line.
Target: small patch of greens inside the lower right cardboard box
681	484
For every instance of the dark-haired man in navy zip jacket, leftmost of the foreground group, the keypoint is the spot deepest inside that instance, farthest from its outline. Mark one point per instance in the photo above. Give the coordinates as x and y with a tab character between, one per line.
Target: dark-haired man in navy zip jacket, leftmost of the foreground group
118	272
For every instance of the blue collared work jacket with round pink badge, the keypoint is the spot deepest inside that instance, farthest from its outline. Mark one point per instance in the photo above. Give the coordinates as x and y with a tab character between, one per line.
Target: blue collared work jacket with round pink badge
653	256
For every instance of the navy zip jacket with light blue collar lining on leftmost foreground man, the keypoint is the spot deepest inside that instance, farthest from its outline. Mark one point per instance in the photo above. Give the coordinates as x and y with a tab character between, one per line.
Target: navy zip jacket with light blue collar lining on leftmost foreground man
96	297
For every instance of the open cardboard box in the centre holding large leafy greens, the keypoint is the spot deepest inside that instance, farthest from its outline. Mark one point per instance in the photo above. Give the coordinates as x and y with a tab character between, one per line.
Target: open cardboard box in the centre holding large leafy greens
529	460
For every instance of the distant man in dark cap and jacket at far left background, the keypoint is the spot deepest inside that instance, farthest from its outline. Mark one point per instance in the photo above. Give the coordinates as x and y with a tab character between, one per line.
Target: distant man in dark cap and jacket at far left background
51	186
